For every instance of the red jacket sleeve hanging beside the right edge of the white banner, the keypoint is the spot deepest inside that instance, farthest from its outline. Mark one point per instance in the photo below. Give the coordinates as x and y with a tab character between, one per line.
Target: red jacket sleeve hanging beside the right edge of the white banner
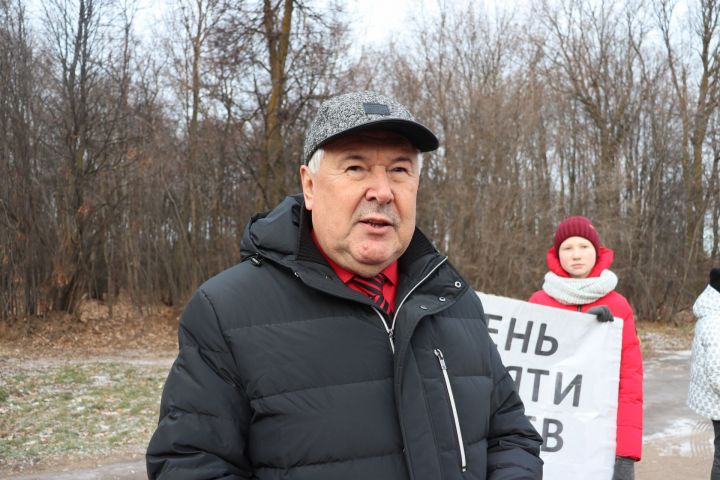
630	394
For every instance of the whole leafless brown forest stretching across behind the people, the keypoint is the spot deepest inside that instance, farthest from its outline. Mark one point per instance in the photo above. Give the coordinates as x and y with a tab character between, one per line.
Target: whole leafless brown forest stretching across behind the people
130	163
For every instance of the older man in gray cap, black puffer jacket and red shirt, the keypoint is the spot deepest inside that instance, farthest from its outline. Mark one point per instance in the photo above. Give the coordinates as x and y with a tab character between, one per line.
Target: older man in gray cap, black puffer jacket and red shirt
344	346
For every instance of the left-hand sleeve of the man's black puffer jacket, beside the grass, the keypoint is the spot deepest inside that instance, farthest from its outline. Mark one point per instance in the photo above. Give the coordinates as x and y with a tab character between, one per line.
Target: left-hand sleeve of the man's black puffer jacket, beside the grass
204	414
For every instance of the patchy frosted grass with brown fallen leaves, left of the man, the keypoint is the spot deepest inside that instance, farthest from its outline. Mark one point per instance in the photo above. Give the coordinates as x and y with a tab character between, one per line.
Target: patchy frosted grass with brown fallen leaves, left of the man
82	387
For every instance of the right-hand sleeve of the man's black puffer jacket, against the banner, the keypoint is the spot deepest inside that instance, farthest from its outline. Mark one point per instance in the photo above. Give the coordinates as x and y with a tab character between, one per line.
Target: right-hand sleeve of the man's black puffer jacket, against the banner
513	443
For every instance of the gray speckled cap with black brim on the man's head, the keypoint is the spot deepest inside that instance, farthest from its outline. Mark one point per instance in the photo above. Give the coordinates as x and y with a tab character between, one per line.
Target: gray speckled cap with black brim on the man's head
356	111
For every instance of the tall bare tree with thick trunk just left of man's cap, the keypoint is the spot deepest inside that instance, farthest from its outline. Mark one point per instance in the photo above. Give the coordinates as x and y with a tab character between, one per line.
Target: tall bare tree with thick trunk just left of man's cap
288	54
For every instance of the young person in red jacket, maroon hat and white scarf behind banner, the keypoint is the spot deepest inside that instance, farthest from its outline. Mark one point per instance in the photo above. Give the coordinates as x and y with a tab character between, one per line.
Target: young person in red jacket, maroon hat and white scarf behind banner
579	279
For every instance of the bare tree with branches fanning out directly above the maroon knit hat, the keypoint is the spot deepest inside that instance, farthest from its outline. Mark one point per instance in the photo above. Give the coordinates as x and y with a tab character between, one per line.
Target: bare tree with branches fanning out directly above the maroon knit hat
596	49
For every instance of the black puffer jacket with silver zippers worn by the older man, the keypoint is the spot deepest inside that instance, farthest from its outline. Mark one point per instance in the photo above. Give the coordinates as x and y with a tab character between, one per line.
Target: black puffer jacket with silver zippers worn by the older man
285	373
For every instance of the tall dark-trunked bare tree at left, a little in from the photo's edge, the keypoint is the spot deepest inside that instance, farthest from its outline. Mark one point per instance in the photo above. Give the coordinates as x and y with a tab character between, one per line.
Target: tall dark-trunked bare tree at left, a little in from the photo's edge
86	107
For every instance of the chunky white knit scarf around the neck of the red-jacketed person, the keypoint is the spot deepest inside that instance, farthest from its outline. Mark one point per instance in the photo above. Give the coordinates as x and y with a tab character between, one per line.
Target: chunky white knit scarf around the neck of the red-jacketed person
579	291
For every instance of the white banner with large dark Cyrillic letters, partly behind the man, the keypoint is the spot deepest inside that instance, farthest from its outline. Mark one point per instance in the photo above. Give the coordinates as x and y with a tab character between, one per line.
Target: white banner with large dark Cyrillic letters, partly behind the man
566	367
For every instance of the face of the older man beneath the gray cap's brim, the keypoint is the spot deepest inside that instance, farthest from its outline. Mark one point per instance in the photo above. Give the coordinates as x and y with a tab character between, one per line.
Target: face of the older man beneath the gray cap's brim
363	198
